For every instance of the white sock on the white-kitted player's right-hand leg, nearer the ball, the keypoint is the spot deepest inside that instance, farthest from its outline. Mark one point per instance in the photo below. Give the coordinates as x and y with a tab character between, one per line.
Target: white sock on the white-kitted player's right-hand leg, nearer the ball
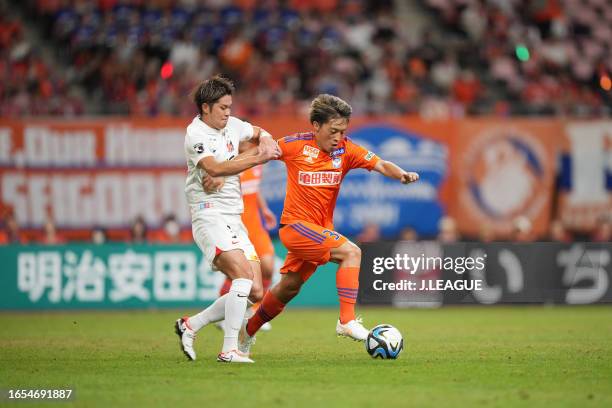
235	305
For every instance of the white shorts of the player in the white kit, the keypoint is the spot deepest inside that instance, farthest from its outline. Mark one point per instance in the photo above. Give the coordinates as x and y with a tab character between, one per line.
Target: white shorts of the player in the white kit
217	233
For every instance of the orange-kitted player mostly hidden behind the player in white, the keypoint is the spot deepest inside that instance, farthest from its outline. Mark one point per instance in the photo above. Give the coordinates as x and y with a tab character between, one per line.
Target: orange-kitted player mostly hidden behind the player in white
257	219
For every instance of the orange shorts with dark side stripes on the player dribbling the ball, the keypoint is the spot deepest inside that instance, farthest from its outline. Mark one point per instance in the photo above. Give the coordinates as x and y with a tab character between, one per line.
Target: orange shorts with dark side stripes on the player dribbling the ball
309	246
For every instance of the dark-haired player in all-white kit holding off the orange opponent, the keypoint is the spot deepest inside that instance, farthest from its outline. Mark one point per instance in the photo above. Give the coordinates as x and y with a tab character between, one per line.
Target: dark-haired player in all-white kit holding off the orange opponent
212	145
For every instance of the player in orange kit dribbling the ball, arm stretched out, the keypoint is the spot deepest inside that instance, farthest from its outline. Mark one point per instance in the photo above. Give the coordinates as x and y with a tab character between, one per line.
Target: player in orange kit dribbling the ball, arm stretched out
317	162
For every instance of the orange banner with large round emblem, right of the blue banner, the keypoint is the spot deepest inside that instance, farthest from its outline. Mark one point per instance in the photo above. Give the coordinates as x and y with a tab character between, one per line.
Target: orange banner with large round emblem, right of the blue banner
502	170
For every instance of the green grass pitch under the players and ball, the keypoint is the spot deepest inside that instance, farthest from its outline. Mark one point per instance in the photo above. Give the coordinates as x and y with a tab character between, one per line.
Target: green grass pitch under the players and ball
459	356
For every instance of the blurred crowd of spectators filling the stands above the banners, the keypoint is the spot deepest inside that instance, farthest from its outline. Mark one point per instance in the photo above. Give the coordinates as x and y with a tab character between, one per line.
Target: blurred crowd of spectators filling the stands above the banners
142	58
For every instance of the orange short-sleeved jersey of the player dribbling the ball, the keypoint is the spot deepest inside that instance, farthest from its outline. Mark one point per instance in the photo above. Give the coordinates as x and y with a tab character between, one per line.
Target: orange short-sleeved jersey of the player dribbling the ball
314	177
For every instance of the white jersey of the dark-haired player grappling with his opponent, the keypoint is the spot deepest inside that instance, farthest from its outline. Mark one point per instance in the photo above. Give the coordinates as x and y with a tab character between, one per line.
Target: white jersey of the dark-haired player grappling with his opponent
200	141
